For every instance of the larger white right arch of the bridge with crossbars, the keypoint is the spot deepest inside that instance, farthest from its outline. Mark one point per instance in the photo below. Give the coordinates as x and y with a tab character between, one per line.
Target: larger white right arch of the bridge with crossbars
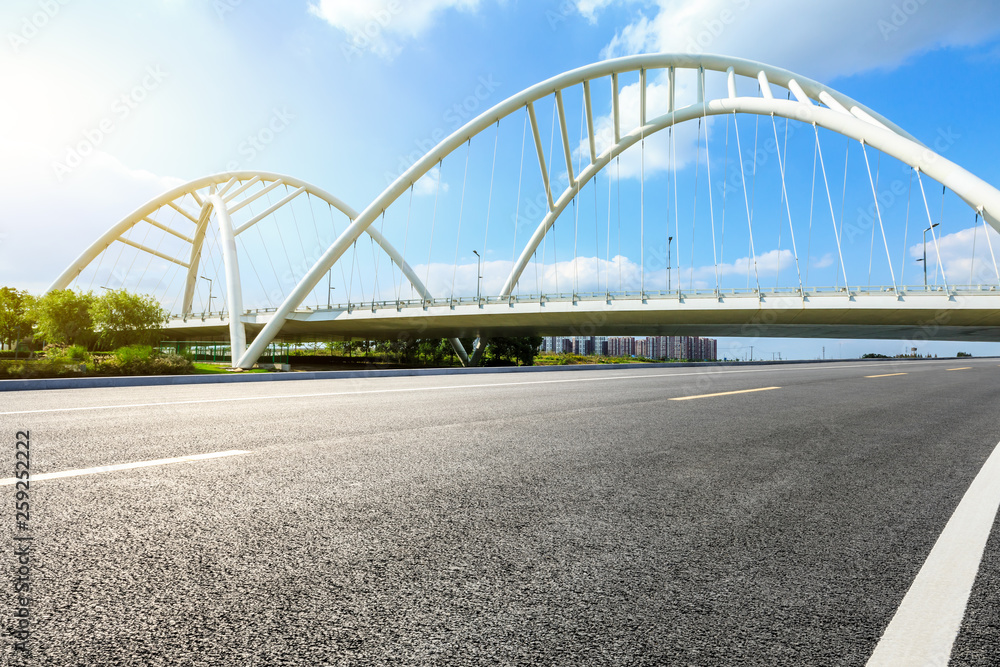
813	103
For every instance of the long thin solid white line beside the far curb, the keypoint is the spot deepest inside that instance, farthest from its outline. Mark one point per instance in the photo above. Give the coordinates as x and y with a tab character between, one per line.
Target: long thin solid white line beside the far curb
424	388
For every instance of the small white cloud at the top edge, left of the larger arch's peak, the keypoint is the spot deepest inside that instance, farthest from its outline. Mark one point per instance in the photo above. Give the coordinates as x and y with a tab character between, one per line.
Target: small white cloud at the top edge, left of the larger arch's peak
381	26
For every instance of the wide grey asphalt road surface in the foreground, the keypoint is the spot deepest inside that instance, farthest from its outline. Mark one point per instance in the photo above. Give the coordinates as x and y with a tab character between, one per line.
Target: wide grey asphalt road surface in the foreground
555	518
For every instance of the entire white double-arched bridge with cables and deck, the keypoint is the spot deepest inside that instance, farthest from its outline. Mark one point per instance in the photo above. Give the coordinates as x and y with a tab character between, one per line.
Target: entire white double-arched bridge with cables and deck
702	195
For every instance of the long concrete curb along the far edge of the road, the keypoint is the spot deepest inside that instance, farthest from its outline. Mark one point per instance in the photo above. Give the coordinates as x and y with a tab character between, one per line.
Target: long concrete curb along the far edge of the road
164	380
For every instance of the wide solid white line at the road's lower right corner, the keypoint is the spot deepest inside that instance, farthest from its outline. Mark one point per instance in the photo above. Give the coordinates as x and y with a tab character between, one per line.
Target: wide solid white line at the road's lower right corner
927	622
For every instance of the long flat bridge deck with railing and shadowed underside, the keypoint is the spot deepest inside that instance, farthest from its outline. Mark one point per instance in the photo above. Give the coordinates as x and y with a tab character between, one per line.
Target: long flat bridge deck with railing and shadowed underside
926	316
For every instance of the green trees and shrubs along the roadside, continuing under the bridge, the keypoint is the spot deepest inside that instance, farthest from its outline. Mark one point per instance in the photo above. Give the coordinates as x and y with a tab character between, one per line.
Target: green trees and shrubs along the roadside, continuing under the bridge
66	333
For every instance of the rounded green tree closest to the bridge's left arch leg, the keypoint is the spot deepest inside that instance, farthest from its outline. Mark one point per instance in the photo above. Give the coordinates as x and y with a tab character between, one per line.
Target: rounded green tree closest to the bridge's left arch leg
122	318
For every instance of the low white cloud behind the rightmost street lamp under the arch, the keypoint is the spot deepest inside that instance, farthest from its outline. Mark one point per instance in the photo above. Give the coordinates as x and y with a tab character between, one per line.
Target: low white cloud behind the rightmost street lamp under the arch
965	256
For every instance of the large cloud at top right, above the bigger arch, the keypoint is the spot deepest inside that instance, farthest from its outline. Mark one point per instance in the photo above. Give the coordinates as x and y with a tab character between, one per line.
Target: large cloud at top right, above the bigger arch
820	39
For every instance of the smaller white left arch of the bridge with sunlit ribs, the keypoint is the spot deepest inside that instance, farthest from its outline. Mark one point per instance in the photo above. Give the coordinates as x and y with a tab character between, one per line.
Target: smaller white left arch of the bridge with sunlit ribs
214	194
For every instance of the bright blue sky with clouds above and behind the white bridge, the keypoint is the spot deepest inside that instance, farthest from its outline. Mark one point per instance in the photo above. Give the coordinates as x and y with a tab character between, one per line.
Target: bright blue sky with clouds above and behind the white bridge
171	90
